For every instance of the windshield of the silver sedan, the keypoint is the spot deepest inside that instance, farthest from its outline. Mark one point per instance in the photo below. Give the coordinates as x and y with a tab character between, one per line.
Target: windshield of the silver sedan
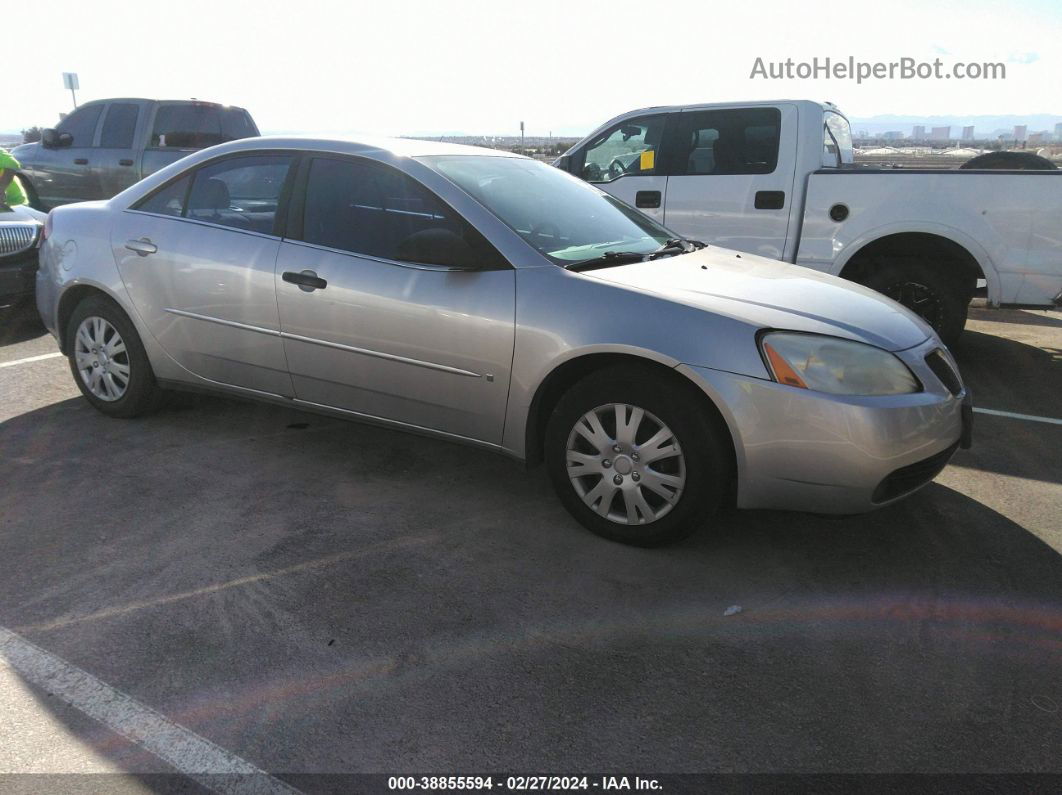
563	218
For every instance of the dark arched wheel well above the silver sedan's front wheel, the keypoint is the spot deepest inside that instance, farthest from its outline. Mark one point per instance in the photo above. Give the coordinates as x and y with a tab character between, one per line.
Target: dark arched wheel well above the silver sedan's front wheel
558	383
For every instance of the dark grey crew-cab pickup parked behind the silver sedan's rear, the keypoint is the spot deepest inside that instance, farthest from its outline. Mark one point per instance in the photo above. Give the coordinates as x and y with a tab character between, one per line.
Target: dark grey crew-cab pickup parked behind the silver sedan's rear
107	146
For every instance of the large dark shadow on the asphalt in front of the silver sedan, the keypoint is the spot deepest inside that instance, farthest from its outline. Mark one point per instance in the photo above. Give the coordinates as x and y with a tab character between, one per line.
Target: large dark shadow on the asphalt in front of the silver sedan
264	576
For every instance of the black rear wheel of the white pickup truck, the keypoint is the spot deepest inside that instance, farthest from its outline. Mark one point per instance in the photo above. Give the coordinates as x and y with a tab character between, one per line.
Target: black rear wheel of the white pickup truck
929	290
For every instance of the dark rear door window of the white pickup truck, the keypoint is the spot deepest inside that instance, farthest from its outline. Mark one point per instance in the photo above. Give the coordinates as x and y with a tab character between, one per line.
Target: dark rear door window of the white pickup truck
731	142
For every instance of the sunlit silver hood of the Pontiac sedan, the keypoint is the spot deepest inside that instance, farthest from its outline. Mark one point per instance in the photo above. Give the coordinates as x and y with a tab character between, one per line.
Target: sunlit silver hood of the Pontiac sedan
770	295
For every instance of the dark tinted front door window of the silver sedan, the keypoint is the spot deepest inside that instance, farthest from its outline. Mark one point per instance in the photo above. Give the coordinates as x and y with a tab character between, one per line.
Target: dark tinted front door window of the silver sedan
374	211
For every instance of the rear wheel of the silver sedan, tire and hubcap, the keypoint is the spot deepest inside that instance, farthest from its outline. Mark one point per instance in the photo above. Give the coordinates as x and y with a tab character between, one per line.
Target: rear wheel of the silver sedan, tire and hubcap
126	387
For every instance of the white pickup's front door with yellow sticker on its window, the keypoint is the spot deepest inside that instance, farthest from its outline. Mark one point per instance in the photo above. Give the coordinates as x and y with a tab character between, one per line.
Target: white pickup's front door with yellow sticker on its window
624	161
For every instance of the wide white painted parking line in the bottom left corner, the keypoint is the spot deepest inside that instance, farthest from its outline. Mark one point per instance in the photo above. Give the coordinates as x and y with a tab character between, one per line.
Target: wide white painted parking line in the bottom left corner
191	754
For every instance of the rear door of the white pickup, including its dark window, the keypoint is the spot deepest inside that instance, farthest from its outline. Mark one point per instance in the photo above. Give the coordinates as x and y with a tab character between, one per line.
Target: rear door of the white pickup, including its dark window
732	177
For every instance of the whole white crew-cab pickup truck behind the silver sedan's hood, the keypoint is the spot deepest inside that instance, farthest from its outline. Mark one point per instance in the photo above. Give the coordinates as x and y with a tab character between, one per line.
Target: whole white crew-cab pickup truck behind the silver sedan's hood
778	179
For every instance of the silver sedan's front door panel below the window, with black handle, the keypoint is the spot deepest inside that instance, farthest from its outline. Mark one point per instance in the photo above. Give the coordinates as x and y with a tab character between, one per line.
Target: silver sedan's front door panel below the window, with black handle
431	348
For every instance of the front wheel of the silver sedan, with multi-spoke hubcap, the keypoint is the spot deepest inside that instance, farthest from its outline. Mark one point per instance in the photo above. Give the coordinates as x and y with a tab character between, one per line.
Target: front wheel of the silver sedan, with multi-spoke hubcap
705	458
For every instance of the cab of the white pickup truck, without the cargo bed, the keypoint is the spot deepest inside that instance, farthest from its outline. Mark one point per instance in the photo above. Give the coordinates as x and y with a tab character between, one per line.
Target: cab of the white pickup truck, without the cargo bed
720	172
